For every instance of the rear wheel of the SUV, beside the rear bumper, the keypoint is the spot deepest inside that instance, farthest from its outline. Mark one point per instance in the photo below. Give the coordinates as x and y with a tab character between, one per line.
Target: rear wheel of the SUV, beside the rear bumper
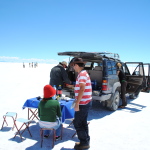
115	101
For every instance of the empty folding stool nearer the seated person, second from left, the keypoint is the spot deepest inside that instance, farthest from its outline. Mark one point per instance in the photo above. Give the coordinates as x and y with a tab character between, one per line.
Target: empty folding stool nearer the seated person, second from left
25	122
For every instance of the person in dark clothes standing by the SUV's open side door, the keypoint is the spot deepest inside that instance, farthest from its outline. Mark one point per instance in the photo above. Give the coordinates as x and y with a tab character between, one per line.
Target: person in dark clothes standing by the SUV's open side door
122	79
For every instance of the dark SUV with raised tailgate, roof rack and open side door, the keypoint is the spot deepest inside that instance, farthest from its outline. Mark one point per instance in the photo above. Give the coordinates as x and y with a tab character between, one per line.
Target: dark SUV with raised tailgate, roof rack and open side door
103	73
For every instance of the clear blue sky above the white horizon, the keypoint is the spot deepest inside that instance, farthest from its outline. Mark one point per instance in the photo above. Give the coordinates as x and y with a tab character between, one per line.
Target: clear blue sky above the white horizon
35	30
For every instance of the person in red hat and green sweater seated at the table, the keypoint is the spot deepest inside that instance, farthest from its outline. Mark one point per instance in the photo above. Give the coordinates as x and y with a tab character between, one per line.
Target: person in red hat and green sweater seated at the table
49	112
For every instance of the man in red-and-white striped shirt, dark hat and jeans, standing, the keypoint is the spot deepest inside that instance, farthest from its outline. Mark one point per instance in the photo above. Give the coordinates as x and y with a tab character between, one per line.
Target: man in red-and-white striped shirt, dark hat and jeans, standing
83	96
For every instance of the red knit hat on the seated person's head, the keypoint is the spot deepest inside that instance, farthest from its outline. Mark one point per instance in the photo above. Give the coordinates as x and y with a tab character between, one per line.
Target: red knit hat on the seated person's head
49	91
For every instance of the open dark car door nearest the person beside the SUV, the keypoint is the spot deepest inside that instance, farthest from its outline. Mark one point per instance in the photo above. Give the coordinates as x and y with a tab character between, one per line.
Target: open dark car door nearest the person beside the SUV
135	76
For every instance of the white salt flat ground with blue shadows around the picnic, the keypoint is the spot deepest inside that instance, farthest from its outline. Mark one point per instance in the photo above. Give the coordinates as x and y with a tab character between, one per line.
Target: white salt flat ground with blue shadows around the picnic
124	129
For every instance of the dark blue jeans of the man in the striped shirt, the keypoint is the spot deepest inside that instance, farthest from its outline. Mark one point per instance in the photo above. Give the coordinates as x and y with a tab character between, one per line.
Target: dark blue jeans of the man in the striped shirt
80	124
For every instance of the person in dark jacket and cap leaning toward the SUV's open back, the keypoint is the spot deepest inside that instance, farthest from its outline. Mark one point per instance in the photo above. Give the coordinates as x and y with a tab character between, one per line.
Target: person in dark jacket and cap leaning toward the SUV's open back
58	75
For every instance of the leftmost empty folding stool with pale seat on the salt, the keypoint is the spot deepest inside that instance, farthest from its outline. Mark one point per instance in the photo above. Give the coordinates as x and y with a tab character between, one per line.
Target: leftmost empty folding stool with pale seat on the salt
9	114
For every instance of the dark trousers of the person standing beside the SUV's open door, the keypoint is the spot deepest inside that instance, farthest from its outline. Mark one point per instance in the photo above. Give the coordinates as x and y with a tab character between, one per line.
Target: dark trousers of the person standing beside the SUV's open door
123	92
